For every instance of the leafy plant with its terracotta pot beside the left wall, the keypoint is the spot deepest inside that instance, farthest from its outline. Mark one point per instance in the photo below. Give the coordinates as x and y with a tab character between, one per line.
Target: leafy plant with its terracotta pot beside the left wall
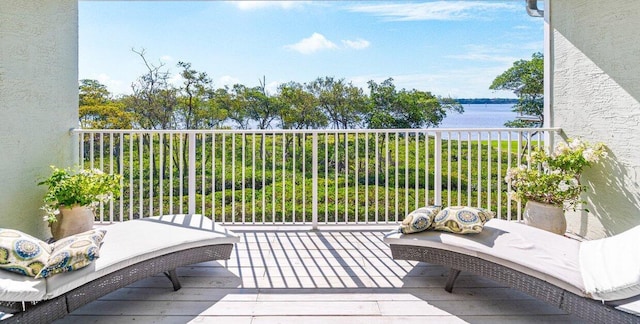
72	197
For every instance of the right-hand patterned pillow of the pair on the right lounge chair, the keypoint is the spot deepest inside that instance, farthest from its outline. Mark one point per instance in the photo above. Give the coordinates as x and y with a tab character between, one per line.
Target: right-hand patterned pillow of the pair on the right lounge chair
461	219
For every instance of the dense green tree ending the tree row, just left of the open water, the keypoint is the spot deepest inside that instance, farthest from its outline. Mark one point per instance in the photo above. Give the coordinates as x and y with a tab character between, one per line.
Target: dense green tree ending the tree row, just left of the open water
390	108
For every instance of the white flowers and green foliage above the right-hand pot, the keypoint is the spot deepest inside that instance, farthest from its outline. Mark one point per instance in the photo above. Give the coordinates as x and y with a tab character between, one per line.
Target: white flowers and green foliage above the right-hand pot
556	179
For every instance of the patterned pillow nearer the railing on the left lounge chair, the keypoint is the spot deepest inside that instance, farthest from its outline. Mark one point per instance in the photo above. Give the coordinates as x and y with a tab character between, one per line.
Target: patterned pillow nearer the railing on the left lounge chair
73	253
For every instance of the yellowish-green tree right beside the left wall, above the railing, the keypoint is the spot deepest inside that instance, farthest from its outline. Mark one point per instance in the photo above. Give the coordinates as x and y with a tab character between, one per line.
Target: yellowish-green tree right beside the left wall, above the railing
98	110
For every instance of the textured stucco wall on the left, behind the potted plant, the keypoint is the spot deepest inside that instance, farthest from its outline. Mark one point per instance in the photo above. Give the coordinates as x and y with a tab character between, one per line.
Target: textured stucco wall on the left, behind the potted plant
38	103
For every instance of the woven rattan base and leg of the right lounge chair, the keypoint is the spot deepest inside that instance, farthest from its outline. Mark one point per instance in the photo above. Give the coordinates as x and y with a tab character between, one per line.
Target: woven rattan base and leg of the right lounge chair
585	308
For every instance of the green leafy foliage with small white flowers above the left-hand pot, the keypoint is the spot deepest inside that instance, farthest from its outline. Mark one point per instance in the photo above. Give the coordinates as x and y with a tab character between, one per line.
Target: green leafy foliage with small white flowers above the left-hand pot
70	187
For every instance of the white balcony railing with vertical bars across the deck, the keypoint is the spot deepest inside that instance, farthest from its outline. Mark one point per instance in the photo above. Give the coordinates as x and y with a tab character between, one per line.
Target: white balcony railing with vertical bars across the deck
306	176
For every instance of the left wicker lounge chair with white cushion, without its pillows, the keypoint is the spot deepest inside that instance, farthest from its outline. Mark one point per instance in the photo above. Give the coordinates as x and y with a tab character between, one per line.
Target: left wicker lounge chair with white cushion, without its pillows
130	251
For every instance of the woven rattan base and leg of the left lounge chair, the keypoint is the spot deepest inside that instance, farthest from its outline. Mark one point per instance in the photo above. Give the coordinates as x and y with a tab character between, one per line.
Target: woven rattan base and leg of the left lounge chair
49	310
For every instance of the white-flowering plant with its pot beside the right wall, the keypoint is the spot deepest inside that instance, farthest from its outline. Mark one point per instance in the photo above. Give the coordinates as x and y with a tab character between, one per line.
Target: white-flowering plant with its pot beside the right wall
552	183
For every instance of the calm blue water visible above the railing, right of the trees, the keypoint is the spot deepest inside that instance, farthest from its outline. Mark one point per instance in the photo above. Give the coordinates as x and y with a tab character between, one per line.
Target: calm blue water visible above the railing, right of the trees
480	116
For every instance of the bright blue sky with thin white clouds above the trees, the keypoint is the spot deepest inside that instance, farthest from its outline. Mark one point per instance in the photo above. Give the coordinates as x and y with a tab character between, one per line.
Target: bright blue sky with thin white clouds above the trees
450	48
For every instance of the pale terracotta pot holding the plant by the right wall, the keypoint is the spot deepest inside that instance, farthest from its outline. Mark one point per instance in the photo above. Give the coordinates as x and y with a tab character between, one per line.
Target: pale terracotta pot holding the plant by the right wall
545	216
